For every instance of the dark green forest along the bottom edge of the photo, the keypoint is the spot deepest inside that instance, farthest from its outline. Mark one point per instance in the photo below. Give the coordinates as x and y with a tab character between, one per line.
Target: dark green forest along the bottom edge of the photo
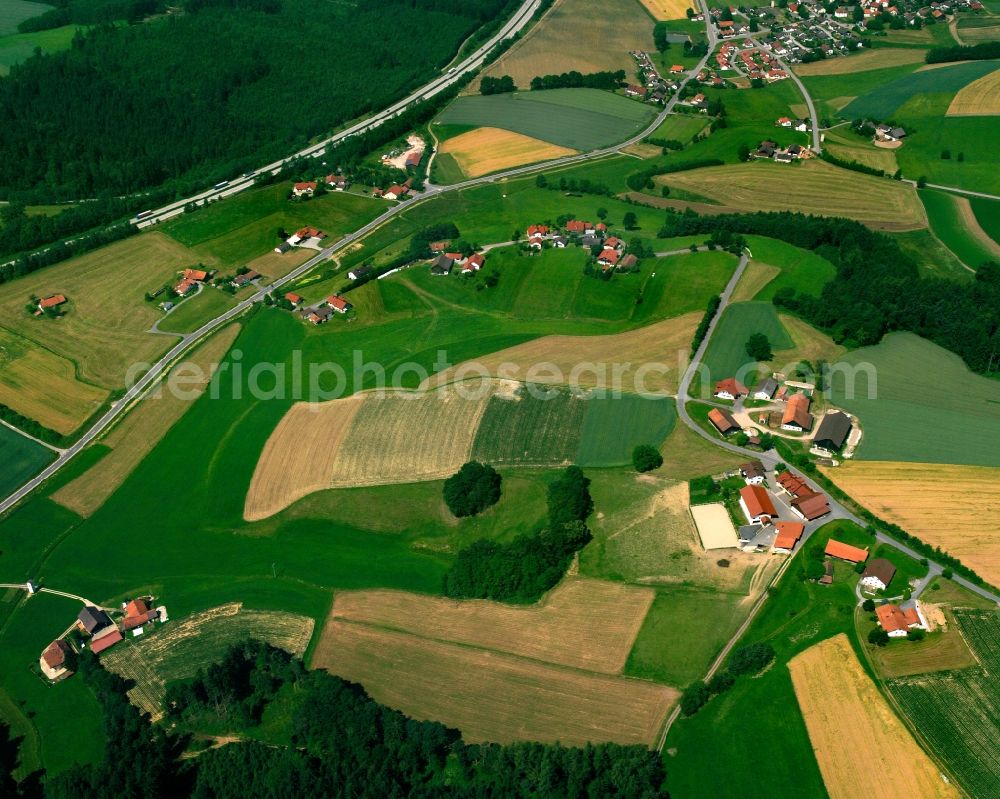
342	744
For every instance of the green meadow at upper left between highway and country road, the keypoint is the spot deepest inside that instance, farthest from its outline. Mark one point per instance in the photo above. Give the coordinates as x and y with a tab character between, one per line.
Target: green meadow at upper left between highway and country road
241	228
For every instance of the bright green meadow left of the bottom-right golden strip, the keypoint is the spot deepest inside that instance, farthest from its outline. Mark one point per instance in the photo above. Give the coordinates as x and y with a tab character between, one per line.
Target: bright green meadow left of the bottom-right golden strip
763	709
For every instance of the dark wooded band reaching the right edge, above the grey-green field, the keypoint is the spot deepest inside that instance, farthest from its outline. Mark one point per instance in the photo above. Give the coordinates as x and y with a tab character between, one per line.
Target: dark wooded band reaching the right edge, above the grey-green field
877	288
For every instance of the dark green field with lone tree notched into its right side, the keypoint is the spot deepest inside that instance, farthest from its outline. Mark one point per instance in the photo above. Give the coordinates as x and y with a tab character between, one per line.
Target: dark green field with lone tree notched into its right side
726	354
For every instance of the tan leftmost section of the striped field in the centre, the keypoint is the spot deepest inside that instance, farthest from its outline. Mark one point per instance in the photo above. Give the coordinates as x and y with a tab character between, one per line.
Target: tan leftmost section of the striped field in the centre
298	457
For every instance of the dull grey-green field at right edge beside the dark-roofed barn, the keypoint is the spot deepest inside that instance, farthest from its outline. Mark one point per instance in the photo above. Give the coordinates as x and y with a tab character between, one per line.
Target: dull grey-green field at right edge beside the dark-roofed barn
918	402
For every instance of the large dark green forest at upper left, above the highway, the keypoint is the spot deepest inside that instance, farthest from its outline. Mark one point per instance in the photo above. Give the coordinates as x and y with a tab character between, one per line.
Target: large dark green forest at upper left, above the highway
215	87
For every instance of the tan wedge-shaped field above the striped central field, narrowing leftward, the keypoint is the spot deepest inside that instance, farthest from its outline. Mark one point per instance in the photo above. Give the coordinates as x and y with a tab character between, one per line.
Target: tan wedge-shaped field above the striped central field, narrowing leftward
664	342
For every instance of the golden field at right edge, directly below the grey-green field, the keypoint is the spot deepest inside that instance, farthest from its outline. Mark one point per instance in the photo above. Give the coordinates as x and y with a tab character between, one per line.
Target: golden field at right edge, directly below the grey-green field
952	507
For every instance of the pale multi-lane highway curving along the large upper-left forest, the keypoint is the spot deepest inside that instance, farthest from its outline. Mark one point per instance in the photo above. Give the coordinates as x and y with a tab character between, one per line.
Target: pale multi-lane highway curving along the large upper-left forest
520	19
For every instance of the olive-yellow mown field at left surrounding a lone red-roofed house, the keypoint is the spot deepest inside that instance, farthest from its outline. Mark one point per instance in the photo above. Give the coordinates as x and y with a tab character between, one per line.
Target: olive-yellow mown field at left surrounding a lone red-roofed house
105	327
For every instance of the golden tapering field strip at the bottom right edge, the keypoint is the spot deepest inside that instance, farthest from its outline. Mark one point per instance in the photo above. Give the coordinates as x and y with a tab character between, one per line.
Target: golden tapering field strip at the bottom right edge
858	741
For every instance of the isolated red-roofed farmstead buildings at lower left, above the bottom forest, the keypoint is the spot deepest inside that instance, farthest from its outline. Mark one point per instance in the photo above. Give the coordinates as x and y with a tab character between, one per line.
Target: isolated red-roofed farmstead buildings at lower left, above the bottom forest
96	629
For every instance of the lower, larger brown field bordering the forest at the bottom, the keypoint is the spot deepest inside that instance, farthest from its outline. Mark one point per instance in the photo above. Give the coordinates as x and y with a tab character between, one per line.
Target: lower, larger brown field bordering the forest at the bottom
491	696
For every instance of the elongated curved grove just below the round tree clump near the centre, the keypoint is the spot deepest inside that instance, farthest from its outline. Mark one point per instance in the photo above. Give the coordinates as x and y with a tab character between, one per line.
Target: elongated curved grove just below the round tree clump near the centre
525	568
